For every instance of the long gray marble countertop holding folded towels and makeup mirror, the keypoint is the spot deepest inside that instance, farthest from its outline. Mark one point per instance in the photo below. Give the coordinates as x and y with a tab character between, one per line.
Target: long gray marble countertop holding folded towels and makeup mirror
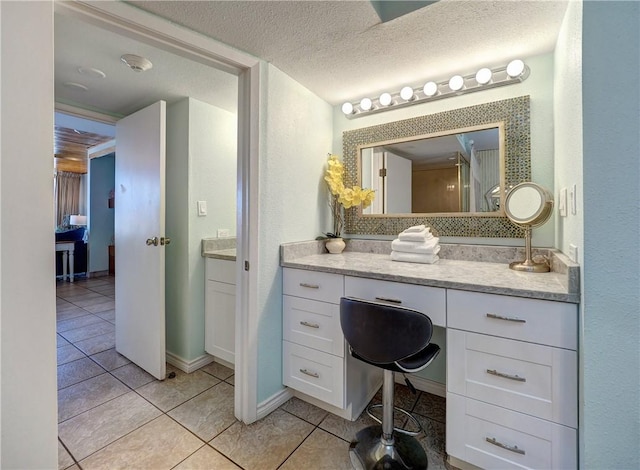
477	276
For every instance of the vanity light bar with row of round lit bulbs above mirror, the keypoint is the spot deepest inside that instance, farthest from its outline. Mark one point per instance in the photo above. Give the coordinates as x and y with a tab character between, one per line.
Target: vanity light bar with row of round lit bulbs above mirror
514	72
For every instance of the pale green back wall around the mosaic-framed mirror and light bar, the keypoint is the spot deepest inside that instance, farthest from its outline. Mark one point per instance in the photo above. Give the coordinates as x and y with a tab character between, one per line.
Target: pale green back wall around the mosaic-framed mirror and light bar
539	86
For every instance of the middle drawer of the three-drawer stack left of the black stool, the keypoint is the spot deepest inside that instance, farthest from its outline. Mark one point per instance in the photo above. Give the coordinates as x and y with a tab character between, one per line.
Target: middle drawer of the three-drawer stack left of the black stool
313	324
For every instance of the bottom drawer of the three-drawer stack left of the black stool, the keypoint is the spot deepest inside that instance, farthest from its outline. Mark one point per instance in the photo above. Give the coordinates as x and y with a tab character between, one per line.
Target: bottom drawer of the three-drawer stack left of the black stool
313	372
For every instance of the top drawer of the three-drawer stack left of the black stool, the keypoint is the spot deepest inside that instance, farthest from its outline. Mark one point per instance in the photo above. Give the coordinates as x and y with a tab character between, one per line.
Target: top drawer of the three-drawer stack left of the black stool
314	285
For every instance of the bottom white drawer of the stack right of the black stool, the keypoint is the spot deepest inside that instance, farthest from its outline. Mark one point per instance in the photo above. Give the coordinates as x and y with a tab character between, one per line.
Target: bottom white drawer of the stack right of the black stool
492	437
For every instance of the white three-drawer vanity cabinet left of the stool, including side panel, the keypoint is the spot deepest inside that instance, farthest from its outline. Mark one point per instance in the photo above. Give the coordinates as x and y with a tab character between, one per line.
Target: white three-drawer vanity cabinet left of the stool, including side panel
315	361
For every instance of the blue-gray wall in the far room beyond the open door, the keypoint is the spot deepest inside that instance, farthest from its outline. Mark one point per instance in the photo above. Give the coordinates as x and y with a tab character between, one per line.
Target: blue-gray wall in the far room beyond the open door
101	181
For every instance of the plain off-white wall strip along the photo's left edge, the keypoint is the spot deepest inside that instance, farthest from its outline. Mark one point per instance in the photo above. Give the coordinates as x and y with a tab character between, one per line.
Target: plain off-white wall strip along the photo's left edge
28	406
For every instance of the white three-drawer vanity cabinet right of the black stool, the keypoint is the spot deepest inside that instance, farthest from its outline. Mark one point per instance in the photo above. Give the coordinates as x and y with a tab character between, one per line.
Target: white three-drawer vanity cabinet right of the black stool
512	377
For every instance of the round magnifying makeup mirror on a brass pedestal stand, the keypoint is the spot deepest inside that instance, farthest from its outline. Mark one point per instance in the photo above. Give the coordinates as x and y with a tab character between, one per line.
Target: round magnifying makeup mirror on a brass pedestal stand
528	205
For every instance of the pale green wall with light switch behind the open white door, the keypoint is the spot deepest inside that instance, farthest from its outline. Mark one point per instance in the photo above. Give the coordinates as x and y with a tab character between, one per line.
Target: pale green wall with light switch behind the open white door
201	166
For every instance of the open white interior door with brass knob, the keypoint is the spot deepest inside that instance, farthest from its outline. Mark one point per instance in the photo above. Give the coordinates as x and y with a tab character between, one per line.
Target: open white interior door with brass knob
139	226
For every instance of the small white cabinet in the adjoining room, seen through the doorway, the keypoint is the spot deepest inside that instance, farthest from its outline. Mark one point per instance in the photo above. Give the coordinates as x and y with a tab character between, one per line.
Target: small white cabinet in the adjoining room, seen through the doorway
220	308
